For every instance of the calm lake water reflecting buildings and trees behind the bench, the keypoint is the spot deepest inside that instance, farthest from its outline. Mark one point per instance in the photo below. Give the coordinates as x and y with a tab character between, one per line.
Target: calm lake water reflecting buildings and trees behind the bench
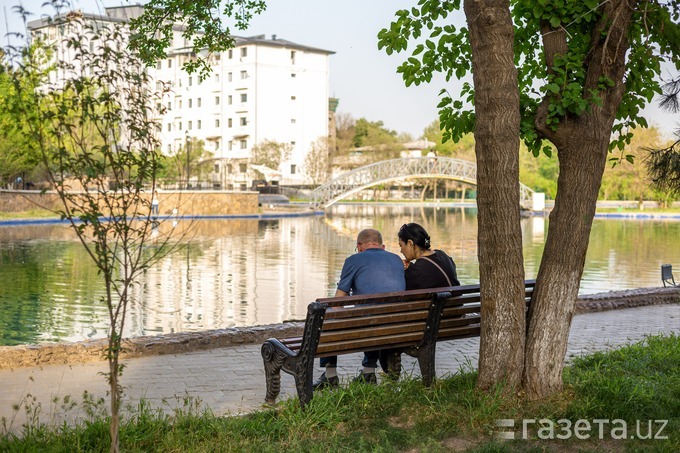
242	272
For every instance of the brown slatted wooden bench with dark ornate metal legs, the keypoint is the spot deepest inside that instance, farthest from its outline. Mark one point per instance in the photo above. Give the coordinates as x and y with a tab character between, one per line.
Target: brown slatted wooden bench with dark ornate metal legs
413	320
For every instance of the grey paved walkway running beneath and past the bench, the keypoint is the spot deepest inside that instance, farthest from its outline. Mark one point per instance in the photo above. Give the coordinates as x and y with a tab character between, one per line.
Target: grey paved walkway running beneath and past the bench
231	380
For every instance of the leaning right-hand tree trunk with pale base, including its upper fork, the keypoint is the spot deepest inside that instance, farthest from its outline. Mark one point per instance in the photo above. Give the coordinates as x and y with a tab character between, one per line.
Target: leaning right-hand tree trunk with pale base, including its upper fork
582	148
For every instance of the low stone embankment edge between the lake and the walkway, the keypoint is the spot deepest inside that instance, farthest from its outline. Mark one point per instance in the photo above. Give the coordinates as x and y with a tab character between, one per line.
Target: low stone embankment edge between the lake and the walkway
94	350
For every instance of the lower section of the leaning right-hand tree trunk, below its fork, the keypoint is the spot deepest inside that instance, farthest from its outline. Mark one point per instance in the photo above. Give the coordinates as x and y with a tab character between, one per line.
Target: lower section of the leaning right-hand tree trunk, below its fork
581	167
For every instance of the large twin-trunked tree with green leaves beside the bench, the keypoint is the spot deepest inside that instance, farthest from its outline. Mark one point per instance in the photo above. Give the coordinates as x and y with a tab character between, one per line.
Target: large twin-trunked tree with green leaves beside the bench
584	70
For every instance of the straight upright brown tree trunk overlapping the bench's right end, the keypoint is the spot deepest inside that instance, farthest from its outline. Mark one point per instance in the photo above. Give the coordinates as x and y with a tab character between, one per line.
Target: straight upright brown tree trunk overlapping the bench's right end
497	147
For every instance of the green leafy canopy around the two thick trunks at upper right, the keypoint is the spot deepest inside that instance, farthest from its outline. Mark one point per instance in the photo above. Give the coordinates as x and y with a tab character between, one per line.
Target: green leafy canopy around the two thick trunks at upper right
441	47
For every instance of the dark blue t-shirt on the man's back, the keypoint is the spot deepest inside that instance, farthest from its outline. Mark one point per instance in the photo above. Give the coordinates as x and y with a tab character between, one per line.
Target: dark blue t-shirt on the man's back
372	271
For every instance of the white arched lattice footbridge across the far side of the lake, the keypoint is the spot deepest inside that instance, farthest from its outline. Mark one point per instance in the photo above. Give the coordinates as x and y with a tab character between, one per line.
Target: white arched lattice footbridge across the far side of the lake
393	170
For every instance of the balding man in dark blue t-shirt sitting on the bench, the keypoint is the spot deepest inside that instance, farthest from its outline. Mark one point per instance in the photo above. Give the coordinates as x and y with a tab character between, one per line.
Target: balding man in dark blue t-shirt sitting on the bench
372	270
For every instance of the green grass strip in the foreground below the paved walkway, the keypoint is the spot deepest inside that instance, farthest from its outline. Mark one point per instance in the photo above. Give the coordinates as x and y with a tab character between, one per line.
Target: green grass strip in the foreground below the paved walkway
621	400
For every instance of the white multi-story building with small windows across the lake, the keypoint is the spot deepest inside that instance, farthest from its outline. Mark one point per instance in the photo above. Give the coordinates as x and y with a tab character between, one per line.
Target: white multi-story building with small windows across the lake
263	89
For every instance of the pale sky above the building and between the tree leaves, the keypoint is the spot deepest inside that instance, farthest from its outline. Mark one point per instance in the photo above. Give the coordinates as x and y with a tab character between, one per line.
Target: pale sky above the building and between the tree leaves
363	78
